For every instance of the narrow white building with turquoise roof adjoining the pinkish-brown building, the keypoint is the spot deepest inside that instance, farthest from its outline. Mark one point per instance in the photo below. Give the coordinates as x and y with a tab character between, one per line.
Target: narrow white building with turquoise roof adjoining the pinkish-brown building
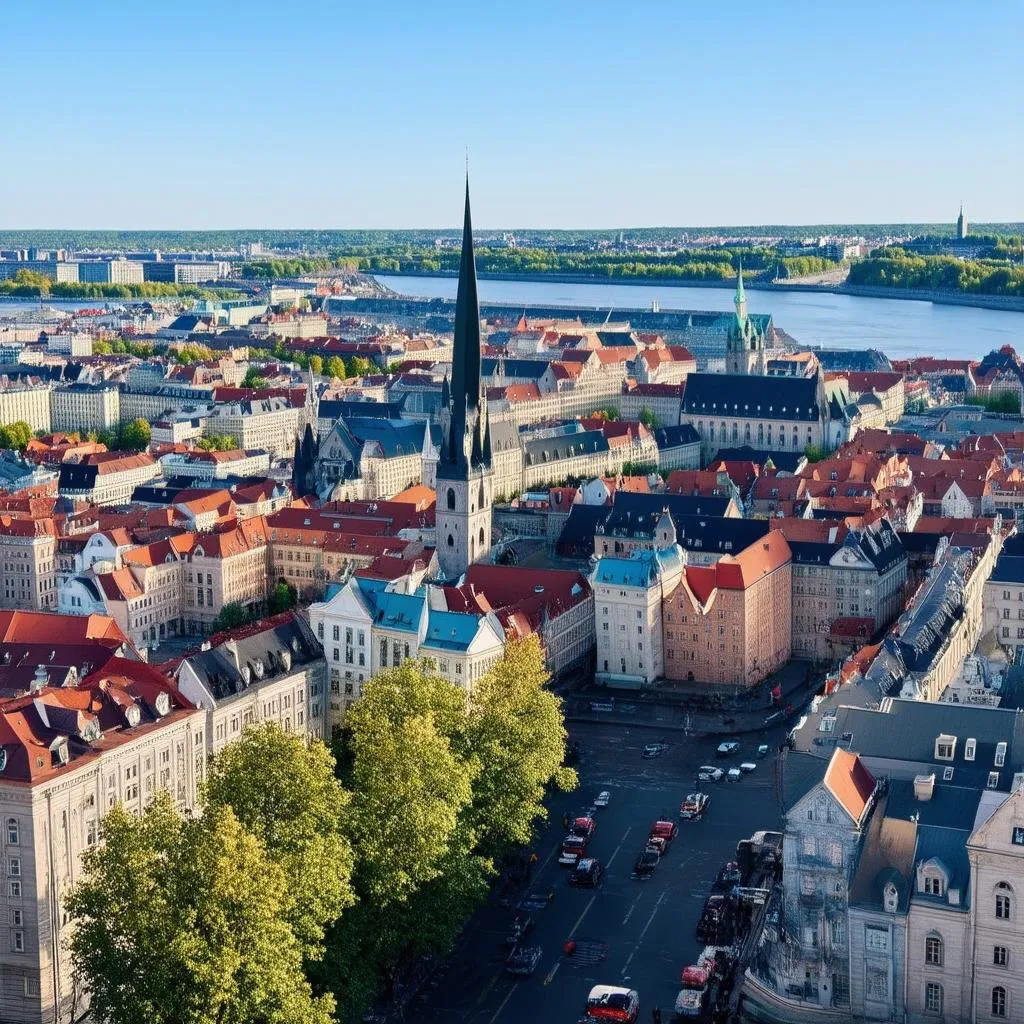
630	593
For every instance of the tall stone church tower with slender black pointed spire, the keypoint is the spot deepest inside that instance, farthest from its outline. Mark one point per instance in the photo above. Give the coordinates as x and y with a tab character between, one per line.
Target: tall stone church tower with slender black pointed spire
464	476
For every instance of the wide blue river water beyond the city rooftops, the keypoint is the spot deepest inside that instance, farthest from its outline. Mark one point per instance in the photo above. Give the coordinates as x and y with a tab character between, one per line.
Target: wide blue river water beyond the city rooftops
898	327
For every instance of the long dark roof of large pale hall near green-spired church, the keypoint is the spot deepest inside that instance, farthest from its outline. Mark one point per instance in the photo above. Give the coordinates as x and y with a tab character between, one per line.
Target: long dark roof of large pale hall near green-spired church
791	399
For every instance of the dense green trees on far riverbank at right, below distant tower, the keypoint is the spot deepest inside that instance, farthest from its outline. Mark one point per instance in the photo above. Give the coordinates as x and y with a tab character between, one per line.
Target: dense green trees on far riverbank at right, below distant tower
895	268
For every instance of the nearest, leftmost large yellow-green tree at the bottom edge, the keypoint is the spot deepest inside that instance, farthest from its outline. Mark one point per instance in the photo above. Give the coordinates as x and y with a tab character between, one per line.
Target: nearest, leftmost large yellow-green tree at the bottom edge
186	922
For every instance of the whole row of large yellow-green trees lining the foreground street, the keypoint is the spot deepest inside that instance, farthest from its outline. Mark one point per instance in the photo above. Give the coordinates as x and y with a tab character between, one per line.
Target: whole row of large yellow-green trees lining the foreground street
315	880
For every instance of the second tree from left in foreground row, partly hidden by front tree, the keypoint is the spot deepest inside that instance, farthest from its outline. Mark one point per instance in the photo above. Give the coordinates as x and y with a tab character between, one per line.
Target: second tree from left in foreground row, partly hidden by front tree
284	791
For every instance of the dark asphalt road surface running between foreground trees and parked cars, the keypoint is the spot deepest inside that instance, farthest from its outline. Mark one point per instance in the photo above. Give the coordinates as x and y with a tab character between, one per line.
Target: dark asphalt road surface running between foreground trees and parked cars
628	932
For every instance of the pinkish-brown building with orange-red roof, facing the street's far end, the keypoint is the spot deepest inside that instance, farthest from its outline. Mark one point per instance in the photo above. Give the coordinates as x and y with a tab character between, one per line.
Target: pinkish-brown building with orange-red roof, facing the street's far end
731	624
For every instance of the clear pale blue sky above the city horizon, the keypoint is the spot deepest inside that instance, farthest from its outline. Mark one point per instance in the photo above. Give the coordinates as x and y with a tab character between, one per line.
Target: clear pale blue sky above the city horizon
189	115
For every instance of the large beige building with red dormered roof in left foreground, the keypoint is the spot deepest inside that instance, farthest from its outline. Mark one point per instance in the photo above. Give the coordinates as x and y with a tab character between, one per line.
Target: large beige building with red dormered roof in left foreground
82	731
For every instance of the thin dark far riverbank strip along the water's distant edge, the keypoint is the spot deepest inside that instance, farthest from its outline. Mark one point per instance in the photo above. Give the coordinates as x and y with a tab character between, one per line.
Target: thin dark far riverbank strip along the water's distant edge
1008	304
